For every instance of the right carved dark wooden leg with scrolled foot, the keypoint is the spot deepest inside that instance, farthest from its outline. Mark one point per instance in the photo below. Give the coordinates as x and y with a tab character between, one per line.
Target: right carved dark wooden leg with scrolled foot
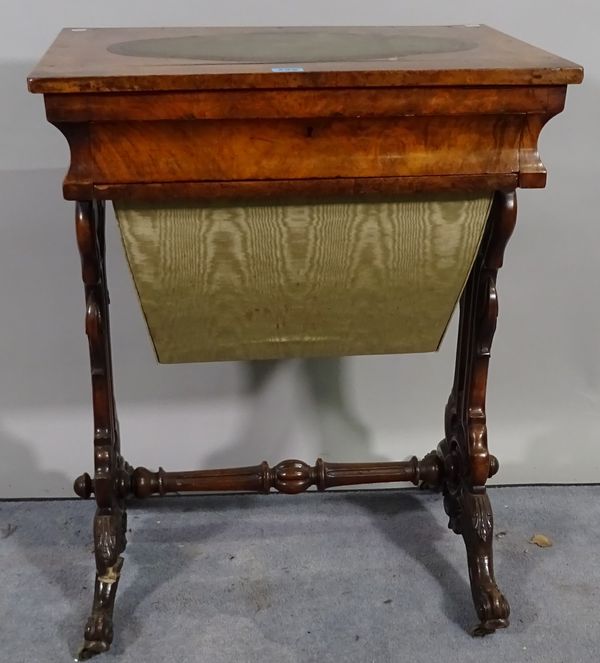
467	462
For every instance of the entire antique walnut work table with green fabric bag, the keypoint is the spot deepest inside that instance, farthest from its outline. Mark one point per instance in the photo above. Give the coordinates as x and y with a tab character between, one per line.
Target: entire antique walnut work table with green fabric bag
288	192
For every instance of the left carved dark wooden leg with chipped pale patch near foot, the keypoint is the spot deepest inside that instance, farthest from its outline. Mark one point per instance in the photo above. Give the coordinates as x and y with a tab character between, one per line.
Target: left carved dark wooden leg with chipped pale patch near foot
110	469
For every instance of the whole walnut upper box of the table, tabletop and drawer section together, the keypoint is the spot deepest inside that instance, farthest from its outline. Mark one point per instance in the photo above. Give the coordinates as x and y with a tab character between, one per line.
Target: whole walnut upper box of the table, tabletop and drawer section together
195	112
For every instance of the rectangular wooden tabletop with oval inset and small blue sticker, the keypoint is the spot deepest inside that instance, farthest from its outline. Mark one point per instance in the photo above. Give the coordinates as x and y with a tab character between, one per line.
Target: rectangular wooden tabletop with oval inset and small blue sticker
163	59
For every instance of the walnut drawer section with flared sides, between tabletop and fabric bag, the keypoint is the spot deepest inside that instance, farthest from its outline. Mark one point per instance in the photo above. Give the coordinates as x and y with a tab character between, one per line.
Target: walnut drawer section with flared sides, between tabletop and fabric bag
191	144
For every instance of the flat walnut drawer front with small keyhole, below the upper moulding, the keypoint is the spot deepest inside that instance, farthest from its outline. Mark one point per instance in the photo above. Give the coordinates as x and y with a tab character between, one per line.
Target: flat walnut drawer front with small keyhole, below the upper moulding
235	150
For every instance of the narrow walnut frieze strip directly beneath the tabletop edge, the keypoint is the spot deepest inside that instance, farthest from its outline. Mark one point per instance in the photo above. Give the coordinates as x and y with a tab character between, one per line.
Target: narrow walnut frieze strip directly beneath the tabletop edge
285	104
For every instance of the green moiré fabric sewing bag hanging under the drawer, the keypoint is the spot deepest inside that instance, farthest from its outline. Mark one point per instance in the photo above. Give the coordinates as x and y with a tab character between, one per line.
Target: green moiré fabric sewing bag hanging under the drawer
261	282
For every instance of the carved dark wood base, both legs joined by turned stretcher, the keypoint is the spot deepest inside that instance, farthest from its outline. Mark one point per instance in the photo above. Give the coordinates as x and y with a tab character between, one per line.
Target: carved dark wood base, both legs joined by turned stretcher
461	465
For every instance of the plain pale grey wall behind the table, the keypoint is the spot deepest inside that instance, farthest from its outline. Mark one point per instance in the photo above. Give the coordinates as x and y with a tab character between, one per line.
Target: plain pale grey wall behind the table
544	395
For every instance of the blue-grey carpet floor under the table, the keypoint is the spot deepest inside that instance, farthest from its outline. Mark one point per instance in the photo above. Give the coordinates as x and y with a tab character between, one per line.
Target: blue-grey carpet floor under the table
350	576
